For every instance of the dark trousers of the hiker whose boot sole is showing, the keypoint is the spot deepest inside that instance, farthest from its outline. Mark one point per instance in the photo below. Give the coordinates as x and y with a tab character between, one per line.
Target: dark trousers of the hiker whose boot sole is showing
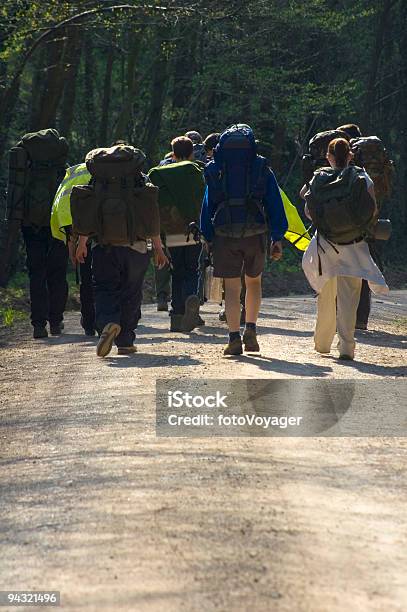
118	274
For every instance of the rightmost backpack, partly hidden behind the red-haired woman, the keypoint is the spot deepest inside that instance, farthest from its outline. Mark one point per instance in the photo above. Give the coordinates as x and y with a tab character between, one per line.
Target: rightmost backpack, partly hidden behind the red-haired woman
370	153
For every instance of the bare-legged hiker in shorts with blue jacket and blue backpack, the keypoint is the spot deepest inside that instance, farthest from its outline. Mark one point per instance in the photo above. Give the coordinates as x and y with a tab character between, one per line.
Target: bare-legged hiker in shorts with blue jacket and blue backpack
241	212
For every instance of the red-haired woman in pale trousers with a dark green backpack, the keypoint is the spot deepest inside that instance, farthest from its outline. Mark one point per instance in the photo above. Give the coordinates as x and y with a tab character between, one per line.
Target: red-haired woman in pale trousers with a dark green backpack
340	200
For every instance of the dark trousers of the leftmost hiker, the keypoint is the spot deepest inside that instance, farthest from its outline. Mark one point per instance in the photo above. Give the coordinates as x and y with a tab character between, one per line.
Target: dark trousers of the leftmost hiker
47	261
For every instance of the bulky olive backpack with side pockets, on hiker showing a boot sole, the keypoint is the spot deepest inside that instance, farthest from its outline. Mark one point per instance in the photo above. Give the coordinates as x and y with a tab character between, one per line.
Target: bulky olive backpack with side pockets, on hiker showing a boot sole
119	206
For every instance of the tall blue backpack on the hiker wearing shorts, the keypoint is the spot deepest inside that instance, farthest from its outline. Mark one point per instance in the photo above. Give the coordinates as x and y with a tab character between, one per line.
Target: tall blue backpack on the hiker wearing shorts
237	178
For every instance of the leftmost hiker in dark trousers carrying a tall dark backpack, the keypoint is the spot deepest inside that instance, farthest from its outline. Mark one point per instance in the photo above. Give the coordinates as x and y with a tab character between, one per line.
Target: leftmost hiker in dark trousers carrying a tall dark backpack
37	166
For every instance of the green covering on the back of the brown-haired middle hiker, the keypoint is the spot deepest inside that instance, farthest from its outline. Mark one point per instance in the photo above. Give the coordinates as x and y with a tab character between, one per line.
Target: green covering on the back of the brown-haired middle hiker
182	187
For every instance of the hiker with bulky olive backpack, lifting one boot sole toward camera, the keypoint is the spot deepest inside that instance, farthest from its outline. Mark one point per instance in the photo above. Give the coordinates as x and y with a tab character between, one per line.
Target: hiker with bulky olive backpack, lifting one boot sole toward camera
119	211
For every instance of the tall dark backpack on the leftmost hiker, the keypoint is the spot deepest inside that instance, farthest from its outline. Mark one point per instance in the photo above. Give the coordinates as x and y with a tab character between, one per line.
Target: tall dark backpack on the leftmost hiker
36	167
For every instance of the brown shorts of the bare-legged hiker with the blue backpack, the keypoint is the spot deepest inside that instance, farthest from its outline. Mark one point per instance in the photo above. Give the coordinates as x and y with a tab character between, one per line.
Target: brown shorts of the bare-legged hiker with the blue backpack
234	256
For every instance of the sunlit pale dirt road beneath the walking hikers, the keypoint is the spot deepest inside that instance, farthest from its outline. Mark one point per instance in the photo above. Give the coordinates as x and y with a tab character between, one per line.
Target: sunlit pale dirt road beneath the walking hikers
94	505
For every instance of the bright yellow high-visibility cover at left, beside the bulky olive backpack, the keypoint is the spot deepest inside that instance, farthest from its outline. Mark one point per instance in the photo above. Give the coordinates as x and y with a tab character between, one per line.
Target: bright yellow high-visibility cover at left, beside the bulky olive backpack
61	206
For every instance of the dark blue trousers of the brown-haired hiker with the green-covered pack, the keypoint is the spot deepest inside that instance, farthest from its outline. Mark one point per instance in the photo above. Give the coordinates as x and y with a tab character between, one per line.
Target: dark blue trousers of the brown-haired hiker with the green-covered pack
185	263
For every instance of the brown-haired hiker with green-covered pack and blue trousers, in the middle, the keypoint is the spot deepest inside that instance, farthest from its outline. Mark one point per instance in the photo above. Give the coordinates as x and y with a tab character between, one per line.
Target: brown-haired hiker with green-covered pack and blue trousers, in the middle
181	187
